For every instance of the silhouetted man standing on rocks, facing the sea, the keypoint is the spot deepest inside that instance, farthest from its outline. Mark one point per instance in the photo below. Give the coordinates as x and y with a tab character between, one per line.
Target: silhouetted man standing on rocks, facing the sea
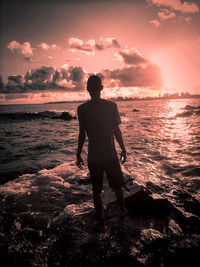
99	119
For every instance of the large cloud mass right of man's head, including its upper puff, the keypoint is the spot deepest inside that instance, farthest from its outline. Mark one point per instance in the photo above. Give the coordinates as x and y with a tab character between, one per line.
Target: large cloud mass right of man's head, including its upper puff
137	71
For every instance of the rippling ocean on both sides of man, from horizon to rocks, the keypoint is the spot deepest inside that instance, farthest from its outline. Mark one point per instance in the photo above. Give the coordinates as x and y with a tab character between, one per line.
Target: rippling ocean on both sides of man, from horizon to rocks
38	174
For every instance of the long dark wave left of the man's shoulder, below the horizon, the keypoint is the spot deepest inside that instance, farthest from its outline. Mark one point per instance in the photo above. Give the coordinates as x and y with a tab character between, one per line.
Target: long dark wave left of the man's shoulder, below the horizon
24	116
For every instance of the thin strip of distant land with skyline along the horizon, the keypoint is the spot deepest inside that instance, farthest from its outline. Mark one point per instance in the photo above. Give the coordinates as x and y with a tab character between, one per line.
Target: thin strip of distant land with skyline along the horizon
120	98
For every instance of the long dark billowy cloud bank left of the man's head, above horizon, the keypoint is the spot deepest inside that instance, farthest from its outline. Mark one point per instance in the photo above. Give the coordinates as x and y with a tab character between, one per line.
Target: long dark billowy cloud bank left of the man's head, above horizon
46	78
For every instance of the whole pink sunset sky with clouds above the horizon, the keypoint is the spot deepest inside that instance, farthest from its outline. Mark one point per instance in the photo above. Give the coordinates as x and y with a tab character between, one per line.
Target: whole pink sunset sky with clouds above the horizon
140	48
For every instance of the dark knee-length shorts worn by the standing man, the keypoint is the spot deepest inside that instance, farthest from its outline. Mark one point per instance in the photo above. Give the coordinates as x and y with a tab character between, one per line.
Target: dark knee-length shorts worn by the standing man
113	172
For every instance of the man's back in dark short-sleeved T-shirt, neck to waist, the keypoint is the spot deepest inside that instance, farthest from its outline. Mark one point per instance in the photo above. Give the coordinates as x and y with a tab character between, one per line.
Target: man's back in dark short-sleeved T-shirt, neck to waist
99	118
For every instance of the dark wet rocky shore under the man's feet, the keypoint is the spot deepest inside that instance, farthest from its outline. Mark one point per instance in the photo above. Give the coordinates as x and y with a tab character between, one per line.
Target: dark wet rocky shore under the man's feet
155	231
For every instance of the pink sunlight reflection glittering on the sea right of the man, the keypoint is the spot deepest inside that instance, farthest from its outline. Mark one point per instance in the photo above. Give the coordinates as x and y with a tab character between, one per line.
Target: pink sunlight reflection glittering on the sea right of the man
161	144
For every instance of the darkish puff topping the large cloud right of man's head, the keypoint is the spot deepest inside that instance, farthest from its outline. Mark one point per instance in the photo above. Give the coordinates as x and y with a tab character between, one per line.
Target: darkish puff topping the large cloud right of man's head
130	56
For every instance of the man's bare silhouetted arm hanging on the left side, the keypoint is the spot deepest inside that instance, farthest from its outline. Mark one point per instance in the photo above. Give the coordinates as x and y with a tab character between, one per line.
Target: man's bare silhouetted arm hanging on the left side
81	140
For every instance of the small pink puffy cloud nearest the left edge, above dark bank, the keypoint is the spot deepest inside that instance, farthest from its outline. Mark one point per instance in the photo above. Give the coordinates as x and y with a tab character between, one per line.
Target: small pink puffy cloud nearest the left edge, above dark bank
25	48
